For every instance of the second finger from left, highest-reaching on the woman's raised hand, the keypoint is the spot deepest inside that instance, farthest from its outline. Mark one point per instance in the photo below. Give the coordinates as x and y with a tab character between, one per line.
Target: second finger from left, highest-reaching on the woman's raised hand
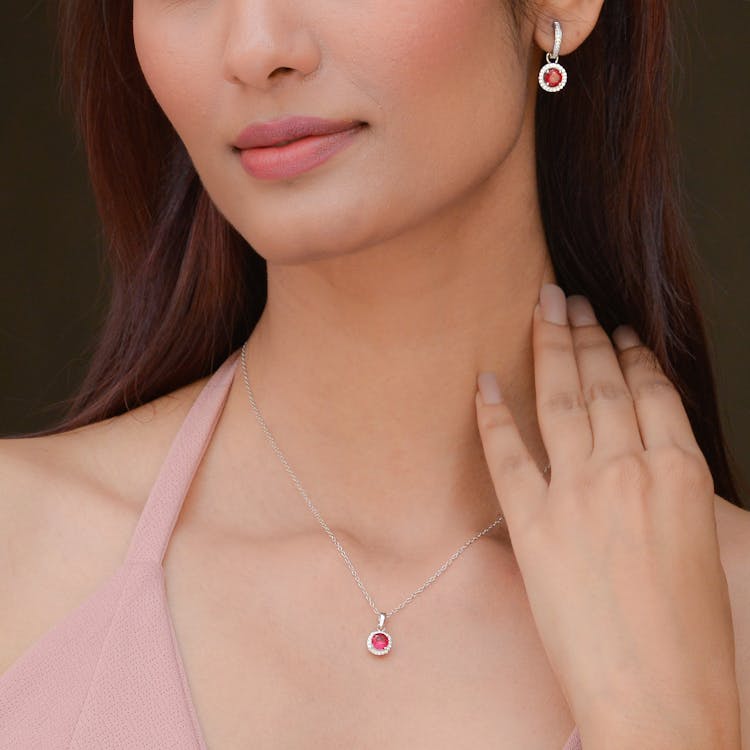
561	408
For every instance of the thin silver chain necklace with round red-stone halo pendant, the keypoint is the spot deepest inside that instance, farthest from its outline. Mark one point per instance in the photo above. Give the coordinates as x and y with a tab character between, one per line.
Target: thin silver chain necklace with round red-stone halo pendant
379	642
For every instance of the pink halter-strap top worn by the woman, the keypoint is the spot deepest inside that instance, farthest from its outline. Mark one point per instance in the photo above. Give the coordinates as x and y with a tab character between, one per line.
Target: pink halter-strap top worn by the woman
110	676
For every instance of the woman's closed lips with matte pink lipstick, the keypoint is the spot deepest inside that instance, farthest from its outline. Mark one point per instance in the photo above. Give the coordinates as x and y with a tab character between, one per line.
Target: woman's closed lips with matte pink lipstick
313	141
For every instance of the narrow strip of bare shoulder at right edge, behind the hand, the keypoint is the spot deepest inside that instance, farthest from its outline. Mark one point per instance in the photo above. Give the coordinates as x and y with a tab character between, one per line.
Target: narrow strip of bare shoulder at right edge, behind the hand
733	529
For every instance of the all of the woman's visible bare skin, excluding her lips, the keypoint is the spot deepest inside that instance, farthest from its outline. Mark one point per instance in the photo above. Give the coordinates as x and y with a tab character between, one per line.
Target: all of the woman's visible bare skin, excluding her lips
391	287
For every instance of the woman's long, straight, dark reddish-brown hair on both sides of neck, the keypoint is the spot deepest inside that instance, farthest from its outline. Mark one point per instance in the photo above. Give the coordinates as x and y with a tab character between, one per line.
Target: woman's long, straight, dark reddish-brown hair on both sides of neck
188	289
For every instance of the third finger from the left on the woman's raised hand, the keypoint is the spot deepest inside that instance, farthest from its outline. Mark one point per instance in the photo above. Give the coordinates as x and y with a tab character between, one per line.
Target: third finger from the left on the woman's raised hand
611	412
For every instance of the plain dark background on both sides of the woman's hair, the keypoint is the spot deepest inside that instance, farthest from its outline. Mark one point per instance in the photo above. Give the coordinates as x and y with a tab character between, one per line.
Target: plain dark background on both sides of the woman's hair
53	284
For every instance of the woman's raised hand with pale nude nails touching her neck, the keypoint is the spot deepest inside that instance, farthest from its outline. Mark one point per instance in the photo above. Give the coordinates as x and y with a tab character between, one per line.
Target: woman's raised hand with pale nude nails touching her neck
619	553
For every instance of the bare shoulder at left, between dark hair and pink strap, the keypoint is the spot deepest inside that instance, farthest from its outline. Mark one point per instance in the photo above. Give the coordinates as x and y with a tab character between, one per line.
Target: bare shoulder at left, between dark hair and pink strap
68	506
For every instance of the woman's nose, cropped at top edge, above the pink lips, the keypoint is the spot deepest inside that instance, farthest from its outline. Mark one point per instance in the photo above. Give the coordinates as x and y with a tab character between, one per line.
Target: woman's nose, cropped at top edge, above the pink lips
264	37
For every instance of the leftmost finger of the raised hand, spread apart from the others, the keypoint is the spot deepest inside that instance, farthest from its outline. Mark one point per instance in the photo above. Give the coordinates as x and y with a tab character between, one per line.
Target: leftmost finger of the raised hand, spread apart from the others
518	481
